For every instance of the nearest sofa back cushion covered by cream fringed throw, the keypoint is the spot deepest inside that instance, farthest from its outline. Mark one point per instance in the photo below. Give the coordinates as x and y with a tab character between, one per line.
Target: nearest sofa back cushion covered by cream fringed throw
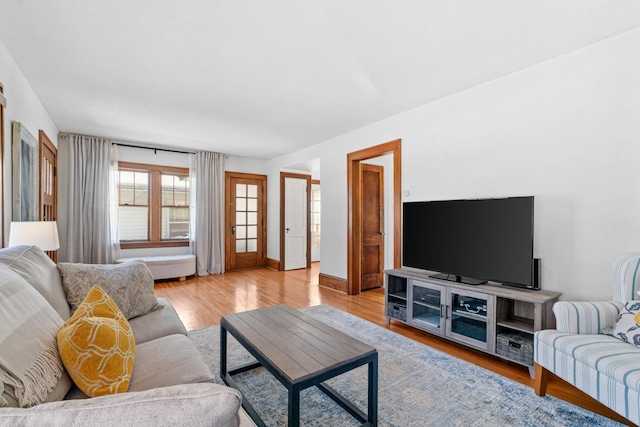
30	366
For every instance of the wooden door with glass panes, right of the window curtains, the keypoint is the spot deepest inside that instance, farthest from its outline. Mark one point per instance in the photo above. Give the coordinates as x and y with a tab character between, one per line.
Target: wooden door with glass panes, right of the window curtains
245	221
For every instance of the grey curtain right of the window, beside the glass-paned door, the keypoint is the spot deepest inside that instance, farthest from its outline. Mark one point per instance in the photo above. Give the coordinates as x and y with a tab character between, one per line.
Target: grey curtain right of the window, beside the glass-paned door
207	212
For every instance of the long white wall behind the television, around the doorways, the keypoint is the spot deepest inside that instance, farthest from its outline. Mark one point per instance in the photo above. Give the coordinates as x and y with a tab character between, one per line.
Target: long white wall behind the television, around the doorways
566	131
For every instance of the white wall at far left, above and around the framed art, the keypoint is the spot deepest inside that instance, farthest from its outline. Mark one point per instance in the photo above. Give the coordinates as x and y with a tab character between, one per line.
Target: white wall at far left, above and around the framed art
22	106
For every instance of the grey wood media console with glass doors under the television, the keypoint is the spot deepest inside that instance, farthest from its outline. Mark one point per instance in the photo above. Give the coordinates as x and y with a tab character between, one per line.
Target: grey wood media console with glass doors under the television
495	319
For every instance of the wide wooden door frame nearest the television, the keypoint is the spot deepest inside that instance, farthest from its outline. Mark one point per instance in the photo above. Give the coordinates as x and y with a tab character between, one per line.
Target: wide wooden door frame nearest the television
354	206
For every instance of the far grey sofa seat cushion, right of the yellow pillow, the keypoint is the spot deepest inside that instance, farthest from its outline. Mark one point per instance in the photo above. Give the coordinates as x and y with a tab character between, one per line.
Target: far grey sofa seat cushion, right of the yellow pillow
157	324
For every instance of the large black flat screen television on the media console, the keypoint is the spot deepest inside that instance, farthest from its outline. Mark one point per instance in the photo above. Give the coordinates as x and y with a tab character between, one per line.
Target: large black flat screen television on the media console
472	241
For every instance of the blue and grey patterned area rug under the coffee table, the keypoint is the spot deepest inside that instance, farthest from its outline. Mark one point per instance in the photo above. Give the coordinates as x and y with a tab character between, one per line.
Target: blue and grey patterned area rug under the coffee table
418	386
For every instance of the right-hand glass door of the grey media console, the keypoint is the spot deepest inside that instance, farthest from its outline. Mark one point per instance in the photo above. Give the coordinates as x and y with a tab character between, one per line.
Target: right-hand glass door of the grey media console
471	318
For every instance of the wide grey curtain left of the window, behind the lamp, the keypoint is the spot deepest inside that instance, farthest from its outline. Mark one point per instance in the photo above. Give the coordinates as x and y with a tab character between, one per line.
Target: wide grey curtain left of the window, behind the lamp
90	235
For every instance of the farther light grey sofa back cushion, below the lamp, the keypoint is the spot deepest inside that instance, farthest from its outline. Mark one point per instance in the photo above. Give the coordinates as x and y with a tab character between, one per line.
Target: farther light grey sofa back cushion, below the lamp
36	267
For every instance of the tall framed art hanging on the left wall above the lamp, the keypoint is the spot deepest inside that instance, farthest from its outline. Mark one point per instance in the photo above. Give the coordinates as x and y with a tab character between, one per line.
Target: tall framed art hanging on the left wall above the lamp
25	174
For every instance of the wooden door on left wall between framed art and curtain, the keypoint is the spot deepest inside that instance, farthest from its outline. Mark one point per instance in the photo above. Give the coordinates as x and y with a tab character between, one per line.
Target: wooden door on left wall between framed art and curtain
48	164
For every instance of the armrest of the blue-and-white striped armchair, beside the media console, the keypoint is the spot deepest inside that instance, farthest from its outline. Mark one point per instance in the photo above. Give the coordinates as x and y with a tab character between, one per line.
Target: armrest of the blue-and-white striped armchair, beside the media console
586	317
